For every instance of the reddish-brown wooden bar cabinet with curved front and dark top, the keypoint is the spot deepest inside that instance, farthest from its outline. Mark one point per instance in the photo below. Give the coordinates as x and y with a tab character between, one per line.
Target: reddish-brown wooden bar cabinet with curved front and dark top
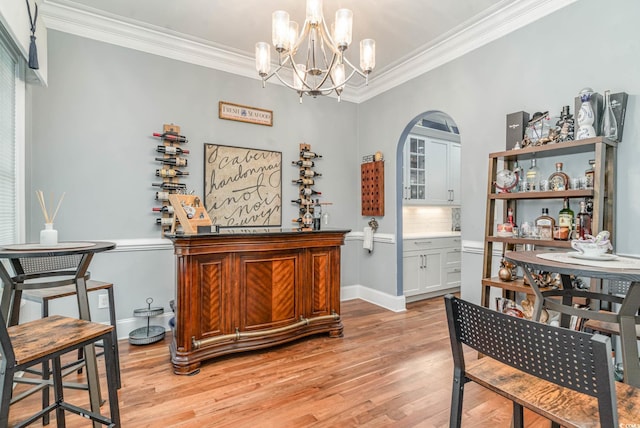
240	290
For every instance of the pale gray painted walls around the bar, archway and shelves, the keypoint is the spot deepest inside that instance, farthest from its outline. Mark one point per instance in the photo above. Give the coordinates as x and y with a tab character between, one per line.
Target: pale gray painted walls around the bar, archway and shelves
90	135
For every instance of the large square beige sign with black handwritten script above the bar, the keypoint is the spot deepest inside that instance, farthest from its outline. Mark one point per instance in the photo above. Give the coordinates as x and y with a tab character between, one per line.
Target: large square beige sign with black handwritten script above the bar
242	187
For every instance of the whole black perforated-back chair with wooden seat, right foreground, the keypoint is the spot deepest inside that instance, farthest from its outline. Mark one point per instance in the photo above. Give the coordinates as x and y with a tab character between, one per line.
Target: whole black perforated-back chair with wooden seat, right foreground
573	360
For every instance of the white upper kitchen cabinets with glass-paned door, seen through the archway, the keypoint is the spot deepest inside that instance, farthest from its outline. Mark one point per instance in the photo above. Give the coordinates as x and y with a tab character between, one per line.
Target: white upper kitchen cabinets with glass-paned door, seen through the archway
431	171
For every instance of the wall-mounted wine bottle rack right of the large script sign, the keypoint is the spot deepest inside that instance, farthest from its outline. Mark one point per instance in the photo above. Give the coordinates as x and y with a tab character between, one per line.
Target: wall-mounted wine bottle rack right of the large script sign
306	194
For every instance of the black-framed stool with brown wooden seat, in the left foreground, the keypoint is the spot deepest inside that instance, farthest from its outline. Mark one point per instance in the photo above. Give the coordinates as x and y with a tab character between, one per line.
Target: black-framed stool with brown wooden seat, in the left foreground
47	339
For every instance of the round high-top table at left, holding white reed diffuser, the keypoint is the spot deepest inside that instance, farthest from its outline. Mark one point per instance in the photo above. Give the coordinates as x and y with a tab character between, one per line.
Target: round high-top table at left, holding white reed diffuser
41	266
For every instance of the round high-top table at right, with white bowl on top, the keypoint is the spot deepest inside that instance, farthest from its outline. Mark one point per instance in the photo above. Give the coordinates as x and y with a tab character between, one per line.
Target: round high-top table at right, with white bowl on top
617	269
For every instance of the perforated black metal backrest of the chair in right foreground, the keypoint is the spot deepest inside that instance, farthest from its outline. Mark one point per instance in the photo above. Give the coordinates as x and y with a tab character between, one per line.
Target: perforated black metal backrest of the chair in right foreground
569	358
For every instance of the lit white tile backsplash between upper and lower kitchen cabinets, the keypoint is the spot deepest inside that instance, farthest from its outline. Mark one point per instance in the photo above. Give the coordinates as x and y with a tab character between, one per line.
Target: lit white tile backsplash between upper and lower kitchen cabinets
417	219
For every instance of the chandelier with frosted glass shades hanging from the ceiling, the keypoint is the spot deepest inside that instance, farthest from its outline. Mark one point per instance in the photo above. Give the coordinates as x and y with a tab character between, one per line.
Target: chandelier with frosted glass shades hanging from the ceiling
324	69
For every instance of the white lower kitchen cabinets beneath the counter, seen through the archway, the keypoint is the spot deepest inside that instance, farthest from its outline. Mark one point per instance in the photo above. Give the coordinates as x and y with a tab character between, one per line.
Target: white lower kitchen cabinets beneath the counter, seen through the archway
431	266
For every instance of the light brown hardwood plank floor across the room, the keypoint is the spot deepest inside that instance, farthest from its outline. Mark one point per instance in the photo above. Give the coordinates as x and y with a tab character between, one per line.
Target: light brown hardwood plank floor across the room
389	370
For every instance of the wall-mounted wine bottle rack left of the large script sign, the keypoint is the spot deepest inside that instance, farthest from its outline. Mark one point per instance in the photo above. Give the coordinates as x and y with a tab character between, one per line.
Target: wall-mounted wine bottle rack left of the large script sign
173	163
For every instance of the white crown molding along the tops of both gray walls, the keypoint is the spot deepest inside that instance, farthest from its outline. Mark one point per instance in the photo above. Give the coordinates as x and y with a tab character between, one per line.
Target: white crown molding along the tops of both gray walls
507	16
